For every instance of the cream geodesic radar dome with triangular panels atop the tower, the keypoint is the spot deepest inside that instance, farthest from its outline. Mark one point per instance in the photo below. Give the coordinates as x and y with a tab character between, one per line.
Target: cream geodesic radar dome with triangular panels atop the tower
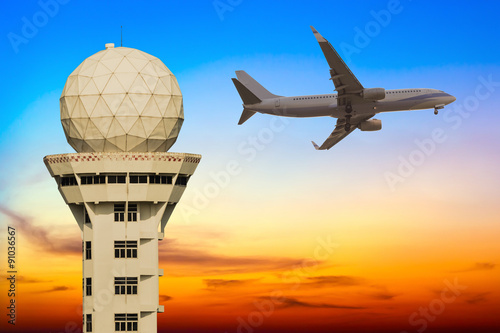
121	100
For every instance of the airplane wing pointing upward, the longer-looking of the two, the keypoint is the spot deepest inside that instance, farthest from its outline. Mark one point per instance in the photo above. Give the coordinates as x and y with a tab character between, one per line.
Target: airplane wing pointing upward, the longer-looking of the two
344	80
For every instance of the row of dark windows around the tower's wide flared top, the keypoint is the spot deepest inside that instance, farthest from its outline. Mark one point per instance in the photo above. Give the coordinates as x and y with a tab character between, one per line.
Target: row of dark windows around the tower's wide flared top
70	180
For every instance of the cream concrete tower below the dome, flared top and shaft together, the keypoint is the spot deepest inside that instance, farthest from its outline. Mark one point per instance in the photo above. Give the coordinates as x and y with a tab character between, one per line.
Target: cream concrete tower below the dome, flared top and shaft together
122	203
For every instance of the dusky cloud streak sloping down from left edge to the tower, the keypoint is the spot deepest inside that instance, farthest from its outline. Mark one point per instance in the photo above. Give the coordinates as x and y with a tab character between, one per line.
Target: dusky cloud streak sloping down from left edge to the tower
40	236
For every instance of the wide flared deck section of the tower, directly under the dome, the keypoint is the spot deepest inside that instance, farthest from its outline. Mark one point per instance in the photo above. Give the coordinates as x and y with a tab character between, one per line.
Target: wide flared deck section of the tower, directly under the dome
115	177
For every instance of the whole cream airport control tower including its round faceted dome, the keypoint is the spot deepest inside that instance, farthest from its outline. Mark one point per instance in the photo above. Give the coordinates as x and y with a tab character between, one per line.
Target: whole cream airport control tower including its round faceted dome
121	110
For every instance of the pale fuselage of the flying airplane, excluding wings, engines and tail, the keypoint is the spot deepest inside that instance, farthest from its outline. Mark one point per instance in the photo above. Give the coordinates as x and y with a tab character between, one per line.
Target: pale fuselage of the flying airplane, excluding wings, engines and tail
326	105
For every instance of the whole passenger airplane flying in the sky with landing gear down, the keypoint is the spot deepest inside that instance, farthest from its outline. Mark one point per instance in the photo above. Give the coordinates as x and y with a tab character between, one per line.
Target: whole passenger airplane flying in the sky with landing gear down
353	105
